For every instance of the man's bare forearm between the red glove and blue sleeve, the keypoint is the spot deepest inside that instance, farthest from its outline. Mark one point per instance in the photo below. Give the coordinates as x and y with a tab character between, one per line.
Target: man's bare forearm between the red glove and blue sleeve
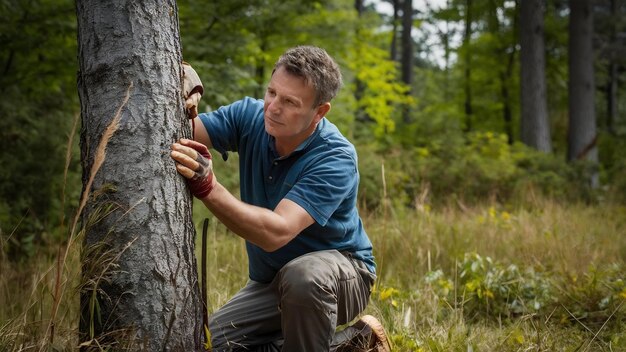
261	226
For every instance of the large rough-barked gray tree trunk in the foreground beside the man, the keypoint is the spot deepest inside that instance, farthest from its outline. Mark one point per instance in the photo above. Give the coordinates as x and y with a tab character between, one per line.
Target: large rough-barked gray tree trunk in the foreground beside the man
140	288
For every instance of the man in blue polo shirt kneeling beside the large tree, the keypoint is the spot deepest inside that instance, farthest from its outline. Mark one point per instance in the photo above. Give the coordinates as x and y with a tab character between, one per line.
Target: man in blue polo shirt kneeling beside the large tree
310	261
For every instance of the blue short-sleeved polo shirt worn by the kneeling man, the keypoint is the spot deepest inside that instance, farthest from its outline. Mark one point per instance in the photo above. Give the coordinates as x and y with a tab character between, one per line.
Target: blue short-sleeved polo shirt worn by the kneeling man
321	176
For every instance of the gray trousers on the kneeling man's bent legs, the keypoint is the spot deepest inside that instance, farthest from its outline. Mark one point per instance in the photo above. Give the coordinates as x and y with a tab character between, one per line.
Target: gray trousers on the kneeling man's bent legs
299	310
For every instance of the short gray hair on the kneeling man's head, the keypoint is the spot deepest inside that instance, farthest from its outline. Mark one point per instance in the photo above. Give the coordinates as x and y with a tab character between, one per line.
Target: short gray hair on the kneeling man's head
316	67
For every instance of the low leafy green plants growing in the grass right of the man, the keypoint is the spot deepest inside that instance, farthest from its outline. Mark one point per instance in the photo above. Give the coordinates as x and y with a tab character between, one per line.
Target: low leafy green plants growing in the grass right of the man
486	289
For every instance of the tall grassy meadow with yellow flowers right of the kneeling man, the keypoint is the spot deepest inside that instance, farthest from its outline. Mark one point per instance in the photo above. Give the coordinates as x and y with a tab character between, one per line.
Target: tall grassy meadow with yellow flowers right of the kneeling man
567	260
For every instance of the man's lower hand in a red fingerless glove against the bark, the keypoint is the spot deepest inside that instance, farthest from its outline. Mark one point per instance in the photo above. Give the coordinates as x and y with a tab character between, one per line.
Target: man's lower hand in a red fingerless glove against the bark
195	163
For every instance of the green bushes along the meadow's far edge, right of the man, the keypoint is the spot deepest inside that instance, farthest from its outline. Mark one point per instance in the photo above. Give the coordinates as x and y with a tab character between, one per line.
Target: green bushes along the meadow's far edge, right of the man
475	167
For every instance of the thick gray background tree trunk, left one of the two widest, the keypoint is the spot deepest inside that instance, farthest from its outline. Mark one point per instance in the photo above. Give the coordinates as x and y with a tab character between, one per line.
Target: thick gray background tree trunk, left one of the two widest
535	124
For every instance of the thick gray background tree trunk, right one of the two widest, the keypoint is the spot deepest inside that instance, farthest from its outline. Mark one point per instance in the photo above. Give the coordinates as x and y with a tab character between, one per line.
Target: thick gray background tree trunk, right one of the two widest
582	117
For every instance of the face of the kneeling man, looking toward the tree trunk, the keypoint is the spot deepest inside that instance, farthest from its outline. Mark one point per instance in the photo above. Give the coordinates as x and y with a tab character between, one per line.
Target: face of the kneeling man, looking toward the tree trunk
289	111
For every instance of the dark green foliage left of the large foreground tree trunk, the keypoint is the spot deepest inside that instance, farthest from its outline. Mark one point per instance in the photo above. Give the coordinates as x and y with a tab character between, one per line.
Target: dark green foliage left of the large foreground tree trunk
37	105
